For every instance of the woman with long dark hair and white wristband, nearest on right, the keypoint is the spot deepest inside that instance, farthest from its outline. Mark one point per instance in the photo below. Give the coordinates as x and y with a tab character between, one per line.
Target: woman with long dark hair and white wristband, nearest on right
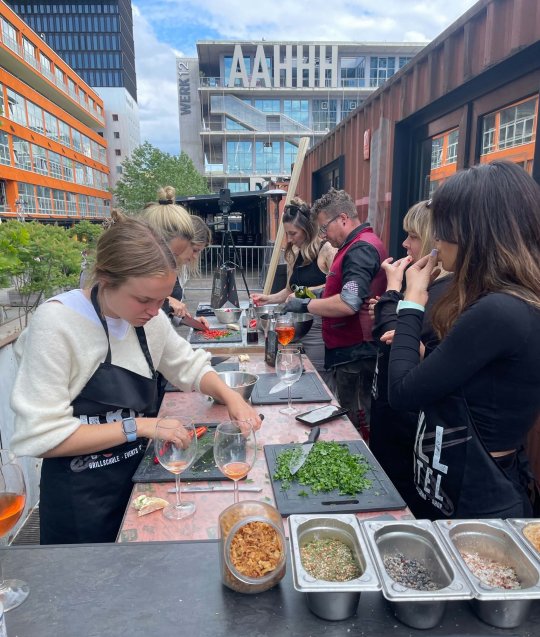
479	391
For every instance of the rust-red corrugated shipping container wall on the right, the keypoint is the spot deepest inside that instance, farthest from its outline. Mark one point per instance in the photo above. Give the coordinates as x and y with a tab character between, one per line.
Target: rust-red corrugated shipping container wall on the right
494	43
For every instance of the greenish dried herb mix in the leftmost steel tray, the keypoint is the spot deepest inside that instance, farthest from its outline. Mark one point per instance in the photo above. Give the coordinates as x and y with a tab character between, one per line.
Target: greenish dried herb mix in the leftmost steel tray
330	560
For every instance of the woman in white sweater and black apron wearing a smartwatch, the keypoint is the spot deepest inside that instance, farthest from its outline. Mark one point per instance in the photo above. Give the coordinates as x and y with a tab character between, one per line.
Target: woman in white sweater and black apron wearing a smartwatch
85	396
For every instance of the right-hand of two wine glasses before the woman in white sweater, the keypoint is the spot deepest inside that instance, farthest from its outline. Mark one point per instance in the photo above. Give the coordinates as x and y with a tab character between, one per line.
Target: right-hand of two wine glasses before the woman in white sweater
235	449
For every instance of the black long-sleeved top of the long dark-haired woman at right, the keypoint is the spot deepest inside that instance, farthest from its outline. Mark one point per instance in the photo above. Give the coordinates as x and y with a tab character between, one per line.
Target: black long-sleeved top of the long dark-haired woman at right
491	353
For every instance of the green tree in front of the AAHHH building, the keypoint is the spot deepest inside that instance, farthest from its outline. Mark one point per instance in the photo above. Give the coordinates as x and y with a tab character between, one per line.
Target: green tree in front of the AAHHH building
148	169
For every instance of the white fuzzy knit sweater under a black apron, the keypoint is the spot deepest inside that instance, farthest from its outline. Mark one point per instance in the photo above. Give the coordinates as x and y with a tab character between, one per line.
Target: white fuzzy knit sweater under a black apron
61	349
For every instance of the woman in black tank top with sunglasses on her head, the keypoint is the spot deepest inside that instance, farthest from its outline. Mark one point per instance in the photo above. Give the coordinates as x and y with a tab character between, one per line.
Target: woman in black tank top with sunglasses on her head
308	264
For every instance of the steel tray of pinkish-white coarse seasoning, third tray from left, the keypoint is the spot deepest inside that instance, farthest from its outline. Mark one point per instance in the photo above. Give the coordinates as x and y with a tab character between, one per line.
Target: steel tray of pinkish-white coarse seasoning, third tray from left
494	540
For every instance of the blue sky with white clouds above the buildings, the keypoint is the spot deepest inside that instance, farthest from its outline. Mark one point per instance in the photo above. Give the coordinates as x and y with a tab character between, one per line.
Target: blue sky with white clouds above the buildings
164	29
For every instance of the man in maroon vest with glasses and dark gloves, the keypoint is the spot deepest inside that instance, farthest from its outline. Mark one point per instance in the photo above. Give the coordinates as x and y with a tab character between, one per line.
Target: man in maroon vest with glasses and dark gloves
355	277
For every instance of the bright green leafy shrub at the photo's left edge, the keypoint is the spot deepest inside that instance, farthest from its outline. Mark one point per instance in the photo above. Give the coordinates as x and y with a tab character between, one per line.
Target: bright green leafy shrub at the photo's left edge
43	260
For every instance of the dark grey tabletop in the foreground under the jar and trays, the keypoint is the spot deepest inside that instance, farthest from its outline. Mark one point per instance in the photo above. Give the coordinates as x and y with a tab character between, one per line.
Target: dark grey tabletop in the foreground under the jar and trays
167	589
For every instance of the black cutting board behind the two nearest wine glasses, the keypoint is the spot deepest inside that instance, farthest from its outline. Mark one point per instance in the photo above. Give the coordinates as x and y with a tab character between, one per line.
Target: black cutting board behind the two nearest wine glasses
203	467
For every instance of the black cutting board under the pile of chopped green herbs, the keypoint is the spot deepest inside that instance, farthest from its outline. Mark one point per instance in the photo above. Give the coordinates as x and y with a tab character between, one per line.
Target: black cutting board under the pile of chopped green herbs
381	496
